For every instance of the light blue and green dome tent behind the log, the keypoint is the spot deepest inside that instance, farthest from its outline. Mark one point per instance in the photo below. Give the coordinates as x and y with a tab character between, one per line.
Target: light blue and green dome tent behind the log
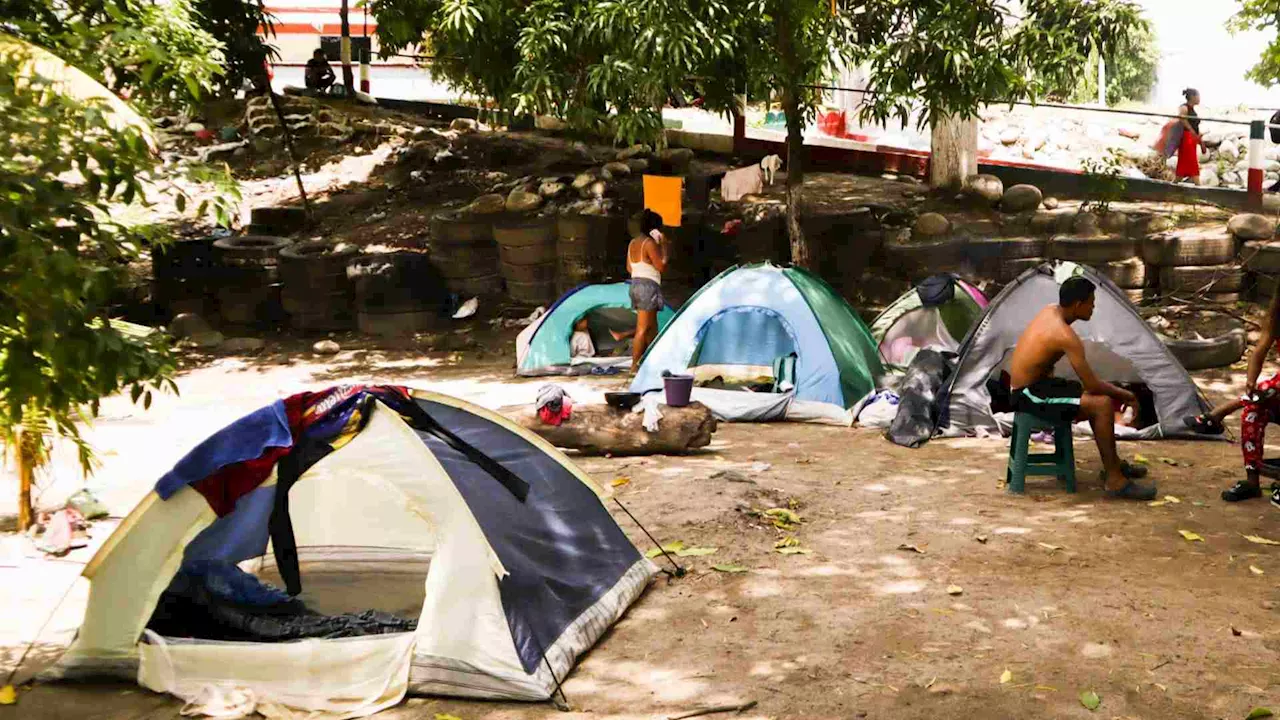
780	330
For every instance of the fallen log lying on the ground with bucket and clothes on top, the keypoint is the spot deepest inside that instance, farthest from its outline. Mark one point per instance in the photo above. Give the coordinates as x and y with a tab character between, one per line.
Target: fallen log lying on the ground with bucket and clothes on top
600	430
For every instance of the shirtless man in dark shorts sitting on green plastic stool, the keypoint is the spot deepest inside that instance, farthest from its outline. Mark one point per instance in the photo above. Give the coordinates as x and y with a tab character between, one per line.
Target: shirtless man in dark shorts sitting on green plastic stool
1046	340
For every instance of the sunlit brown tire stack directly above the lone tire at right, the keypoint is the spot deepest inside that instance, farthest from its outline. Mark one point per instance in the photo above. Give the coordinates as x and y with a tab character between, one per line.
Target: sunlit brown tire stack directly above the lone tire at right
1197	263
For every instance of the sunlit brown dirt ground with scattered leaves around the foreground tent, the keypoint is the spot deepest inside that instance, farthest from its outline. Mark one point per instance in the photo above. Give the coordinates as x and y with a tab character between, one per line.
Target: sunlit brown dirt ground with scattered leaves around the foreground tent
1067	594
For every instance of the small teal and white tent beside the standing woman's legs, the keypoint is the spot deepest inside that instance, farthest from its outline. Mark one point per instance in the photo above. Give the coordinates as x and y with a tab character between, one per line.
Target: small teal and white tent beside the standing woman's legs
543	348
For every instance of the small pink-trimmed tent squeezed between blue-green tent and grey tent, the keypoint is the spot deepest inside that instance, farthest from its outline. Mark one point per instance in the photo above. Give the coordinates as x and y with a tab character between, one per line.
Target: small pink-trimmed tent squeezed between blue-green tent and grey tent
938	315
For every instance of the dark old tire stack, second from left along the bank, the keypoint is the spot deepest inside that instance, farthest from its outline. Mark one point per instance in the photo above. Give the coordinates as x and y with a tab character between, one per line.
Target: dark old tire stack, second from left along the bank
249	280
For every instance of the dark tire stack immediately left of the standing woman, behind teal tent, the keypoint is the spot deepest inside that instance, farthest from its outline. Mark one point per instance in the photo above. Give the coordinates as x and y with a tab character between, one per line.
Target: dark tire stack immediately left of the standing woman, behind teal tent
589	249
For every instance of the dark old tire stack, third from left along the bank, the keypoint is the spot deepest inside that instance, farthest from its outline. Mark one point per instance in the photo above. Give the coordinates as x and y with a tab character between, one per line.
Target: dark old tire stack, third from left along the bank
316	291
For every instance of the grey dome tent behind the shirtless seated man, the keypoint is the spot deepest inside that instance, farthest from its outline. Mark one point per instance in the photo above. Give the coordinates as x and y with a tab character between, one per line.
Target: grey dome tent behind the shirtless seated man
1119	345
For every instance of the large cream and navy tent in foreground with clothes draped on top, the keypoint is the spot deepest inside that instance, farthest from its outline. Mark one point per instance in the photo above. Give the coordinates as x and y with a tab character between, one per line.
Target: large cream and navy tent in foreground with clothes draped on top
436	549
